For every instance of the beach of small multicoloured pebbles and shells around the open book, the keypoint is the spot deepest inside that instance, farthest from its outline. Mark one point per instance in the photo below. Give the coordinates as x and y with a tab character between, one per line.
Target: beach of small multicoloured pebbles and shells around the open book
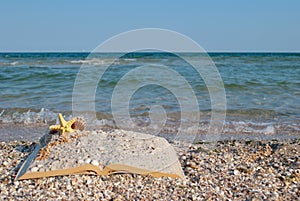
231	170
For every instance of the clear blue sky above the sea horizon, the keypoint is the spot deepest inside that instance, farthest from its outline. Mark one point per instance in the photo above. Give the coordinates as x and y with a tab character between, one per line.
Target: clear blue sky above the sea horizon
224	25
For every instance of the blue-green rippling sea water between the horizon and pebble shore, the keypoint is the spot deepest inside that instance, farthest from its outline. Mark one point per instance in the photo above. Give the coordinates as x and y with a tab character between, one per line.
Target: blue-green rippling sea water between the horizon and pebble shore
262	91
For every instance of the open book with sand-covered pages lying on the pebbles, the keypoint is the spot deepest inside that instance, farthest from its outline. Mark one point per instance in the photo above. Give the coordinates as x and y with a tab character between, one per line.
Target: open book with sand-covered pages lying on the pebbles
101	153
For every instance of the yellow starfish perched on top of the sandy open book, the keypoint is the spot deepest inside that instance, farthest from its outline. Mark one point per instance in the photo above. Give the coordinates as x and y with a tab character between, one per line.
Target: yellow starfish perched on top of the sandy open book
64	126
